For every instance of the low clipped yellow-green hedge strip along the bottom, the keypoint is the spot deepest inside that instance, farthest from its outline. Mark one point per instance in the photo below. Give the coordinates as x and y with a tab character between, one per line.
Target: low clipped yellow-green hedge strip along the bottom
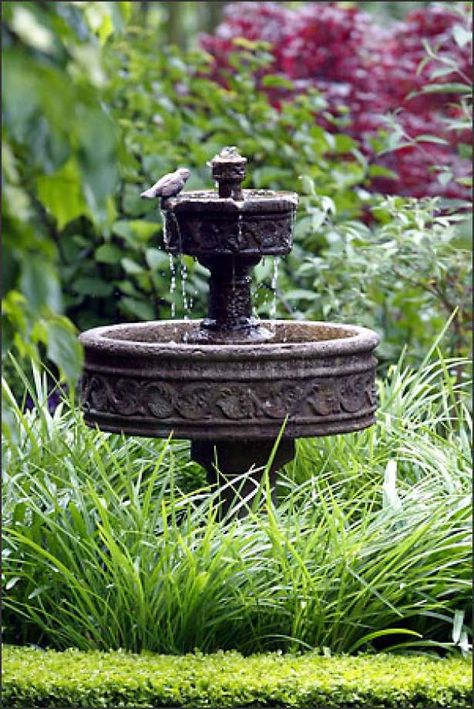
45	678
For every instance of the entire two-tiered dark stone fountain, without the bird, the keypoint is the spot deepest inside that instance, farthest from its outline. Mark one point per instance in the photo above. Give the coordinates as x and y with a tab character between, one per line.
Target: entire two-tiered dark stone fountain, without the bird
230	382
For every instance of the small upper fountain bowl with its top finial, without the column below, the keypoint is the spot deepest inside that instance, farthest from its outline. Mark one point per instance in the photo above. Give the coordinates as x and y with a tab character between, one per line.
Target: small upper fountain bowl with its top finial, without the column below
230	222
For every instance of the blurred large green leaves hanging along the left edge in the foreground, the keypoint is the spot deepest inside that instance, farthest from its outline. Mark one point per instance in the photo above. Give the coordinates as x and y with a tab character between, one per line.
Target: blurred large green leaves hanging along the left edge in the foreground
60	162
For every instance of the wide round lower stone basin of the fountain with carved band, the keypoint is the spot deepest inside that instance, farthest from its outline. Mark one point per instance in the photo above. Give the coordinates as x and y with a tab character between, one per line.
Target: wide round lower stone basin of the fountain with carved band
147	379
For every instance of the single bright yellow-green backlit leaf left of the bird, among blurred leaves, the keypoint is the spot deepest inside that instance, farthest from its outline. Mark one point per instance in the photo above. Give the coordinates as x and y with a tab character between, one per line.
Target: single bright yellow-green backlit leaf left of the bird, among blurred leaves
61	194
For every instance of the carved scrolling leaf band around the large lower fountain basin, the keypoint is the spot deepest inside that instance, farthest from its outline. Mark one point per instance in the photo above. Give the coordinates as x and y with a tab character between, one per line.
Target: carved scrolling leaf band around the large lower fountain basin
214	401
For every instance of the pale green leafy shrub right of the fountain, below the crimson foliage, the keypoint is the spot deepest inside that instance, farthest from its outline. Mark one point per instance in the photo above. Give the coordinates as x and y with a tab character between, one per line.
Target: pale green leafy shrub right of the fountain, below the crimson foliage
403	276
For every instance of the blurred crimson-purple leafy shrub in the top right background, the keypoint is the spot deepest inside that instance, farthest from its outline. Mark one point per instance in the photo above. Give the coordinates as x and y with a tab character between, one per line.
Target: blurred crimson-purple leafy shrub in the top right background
406	82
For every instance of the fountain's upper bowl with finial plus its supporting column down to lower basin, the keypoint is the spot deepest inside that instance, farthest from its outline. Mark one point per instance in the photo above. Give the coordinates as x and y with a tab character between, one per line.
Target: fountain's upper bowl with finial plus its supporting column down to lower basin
229	231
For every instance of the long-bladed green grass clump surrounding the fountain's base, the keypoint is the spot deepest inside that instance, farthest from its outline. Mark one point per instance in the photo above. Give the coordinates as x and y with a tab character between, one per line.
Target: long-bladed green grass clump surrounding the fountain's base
113	543
